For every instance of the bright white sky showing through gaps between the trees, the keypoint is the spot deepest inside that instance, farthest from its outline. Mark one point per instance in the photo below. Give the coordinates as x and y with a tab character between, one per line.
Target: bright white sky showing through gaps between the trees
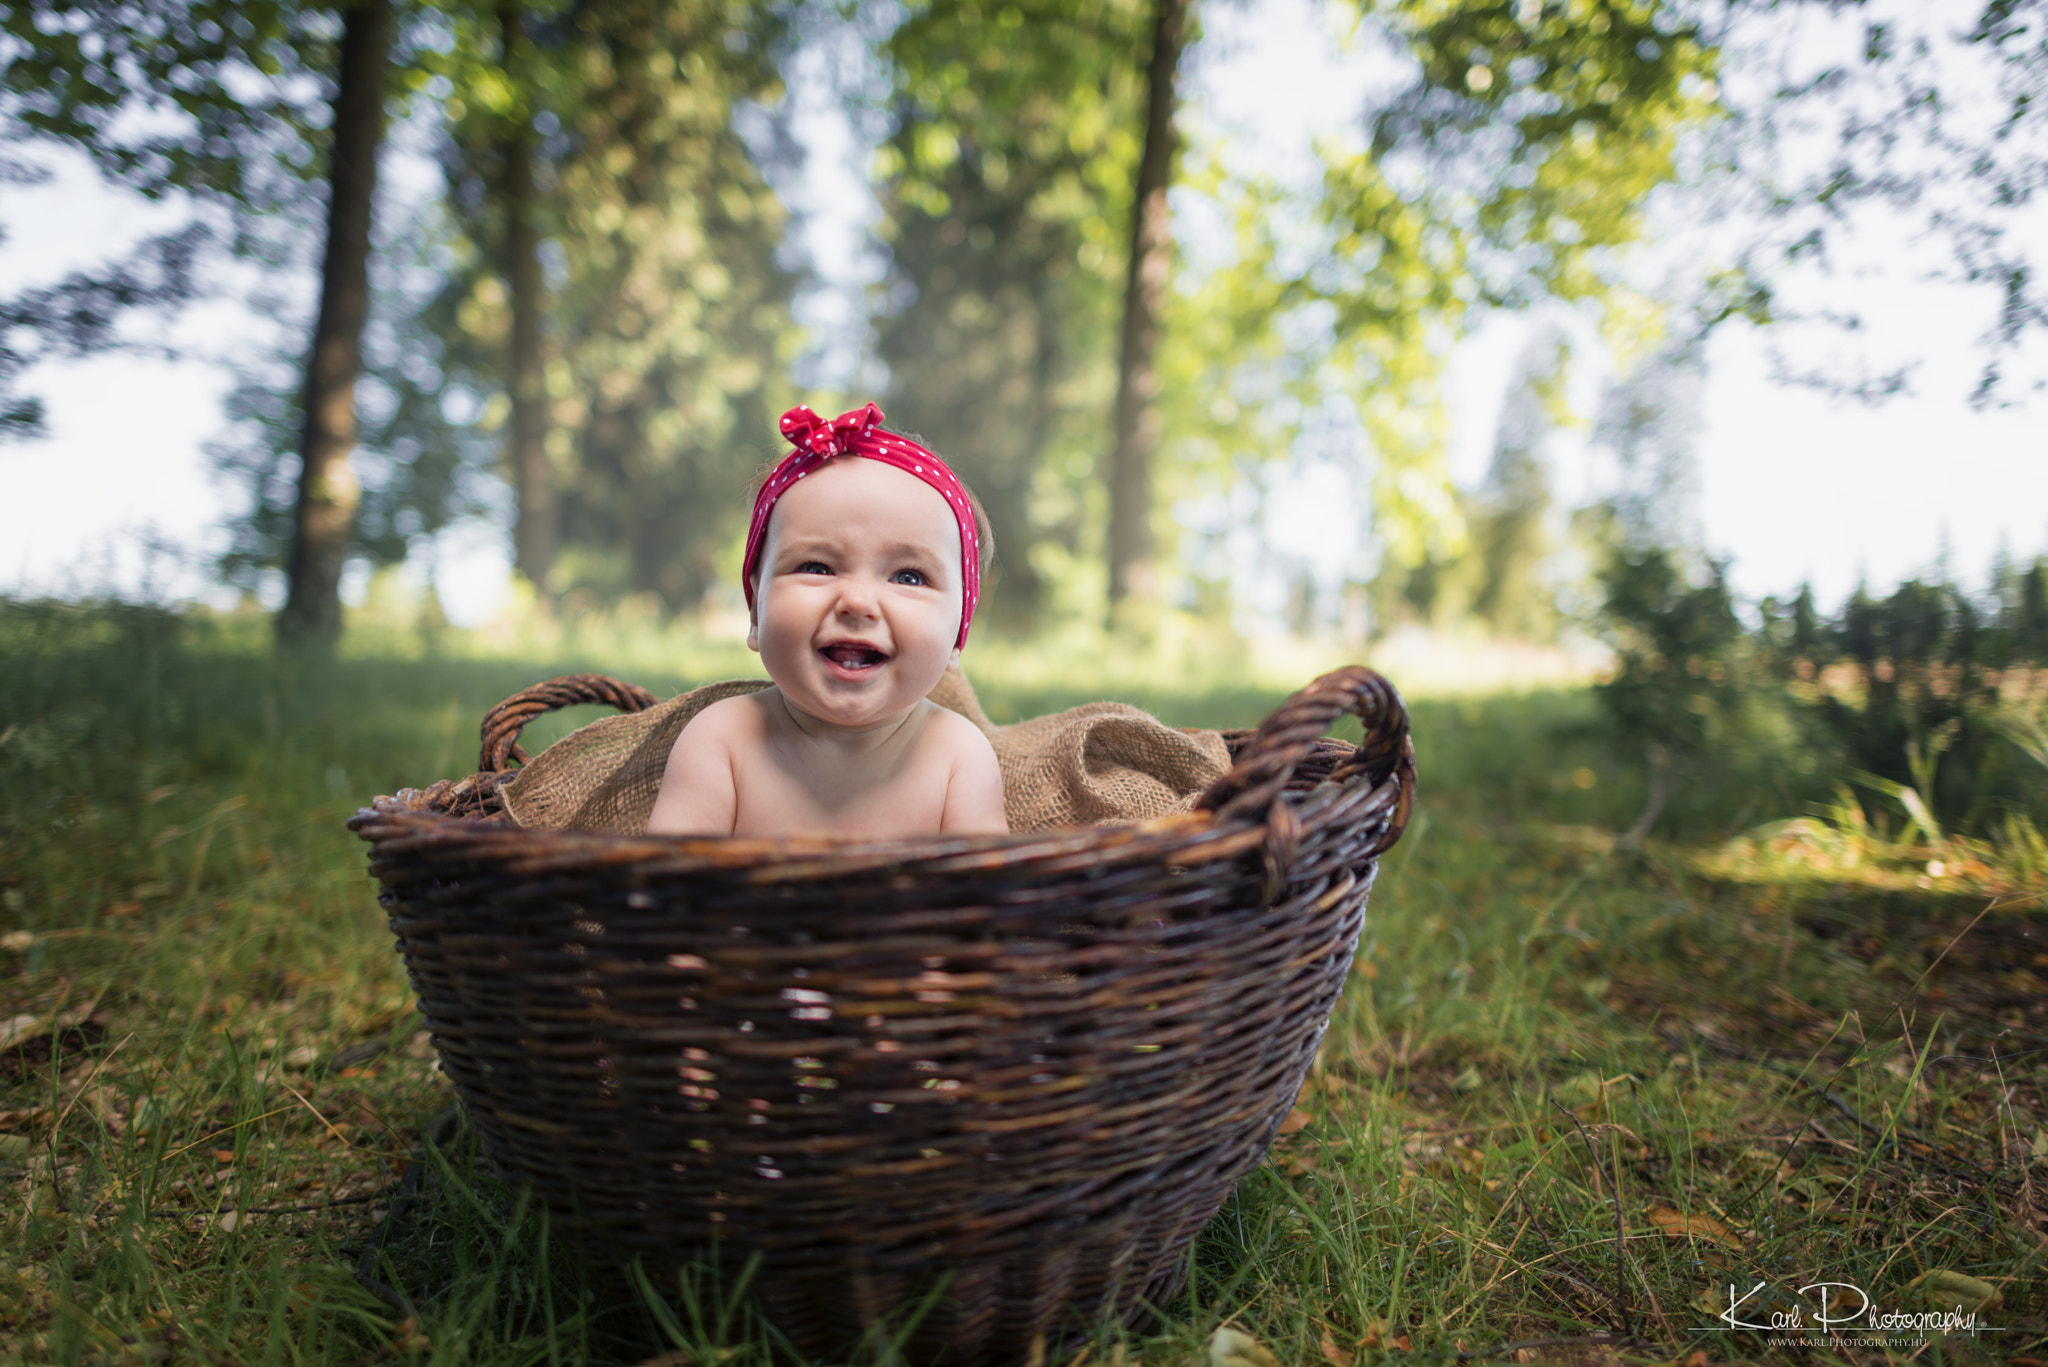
1795	485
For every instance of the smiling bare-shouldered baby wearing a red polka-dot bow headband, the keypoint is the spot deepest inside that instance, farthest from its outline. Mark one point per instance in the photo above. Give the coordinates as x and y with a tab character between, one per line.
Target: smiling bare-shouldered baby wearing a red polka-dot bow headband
861	573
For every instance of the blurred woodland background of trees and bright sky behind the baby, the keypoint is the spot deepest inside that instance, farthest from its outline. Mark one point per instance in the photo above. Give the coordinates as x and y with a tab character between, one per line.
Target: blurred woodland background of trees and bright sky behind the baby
1502	343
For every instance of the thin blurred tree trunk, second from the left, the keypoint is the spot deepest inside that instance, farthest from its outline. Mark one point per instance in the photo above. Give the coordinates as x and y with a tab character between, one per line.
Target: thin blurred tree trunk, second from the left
540	522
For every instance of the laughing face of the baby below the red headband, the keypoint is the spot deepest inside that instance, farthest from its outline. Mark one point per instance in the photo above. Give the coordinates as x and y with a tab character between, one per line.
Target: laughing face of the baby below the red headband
859	597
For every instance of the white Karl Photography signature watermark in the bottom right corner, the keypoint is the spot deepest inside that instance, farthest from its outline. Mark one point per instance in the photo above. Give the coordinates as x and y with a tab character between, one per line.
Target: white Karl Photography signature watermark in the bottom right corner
1844	1313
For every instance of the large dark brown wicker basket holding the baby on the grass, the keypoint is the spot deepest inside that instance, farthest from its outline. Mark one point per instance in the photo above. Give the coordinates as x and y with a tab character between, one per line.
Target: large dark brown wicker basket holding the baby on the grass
1031	1067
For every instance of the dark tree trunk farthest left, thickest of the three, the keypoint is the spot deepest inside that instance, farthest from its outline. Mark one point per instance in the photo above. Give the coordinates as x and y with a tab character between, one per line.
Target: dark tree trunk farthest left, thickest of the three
327	515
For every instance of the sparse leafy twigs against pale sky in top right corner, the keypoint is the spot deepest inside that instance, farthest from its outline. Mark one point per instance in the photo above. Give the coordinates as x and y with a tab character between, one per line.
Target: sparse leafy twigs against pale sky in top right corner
1934	120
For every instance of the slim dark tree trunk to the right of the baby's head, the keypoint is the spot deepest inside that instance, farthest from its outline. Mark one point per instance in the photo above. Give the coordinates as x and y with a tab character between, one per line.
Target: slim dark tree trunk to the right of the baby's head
1138	380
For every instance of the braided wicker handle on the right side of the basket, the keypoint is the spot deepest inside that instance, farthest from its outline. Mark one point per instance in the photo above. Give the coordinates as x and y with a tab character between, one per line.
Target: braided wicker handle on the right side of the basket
1273	755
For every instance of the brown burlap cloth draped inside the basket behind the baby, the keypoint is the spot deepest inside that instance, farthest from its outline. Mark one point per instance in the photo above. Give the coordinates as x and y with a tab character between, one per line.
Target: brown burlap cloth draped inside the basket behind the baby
1093	763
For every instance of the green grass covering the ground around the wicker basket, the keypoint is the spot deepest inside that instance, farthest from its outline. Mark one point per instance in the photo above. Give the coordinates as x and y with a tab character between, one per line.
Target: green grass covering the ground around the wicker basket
1574	1091
